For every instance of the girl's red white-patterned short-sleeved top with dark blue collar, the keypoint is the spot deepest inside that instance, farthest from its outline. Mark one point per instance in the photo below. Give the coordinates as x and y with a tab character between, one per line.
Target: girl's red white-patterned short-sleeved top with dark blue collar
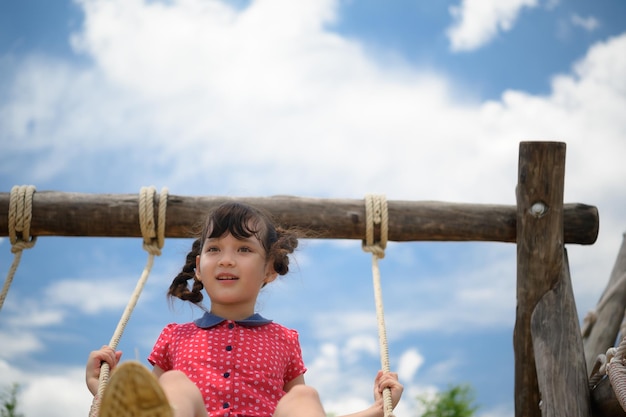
240	367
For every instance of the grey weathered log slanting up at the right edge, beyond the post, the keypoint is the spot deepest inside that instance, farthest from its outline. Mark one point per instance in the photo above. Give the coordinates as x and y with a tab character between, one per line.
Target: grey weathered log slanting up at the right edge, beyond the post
606	320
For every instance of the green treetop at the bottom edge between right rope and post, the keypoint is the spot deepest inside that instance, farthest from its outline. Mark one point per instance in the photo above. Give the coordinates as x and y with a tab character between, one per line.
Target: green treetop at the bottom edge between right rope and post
456	401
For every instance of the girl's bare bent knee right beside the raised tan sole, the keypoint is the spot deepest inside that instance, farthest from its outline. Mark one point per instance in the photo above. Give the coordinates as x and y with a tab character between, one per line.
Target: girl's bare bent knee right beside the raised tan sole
182	394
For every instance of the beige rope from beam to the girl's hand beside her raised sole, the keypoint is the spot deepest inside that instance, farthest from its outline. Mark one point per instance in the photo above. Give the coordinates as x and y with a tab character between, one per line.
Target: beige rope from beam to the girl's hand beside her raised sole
153	240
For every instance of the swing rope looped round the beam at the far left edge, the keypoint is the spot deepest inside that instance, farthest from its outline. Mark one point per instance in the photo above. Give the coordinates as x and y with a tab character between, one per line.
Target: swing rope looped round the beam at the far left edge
20	215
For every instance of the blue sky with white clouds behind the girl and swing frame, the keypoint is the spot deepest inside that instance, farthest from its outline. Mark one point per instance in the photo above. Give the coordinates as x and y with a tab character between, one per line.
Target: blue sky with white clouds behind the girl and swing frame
412	99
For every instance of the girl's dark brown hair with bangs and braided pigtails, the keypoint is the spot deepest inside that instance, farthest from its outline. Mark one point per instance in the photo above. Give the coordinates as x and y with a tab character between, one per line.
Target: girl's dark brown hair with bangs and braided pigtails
241	221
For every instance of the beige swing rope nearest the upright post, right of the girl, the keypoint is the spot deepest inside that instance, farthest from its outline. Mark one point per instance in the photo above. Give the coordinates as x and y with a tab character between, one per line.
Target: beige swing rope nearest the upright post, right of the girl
376	214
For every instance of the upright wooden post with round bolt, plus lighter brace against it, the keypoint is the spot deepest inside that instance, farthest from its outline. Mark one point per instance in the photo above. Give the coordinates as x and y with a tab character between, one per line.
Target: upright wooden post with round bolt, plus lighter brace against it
550	374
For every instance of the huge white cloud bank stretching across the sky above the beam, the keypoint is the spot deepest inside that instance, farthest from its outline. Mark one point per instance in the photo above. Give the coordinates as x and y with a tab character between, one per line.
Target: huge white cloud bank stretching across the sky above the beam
307	105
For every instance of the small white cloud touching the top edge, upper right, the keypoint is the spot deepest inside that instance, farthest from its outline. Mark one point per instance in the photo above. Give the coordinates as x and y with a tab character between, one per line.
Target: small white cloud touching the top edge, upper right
477	22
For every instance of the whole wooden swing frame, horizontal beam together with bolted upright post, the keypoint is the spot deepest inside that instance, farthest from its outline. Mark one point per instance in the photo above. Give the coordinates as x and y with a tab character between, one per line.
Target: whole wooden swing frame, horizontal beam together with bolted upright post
551	376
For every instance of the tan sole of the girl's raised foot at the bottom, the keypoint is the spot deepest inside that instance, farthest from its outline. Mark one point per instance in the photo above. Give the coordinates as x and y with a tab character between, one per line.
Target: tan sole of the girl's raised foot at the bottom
133	391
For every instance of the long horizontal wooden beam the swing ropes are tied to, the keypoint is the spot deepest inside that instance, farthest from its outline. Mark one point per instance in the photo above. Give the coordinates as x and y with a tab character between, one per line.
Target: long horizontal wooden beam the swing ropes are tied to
116	215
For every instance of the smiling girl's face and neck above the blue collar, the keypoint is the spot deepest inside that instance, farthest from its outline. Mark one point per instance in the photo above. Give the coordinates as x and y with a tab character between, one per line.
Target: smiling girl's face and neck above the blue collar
233	271
